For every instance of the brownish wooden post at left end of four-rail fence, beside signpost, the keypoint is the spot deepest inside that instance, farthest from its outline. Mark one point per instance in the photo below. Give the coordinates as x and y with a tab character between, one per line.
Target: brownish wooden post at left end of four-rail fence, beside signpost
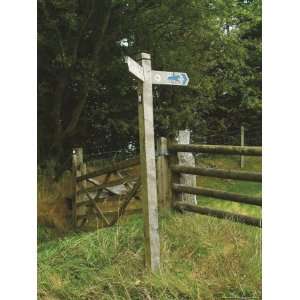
162	172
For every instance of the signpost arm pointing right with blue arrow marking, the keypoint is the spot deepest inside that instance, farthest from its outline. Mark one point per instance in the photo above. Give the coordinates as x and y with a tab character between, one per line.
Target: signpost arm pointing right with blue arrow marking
170	78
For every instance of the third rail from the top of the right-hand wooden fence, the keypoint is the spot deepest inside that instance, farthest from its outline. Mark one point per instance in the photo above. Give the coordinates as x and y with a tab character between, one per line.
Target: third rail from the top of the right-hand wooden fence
217	194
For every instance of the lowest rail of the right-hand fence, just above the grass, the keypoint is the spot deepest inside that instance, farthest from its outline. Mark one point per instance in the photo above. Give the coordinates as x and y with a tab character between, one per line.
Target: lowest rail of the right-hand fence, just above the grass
218	214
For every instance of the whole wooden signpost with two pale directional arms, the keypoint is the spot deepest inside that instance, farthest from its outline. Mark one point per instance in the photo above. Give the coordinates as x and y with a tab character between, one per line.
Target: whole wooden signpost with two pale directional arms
147	77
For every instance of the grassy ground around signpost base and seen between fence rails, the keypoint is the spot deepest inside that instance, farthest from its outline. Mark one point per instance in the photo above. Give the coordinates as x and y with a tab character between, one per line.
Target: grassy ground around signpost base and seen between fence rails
202	257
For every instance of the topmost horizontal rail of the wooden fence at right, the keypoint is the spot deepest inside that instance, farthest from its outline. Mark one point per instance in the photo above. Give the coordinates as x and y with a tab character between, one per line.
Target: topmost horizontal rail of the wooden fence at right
215	149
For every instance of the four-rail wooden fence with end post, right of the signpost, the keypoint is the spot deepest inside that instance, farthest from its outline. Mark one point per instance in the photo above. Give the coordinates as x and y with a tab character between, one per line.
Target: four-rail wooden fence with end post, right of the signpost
170	189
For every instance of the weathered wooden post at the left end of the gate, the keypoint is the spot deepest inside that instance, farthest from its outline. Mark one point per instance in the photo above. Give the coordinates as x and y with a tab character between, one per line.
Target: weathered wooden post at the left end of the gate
77	161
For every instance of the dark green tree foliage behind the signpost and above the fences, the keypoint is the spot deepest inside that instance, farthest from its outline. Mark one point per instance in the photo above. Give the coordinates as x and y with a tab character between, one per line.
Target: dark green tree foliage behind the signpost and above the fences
86	95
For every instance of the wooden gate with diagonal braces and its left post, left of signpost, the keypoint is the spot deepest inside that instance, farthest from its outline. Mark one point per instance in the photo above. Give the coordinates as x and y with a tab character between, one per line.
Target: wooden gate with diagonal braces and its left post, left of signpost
104	194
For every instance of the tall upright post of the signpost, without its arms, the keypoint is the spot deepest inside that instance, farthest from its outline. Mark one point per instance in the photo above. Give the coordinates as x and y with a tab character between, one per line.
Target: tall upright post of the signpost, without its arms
148	168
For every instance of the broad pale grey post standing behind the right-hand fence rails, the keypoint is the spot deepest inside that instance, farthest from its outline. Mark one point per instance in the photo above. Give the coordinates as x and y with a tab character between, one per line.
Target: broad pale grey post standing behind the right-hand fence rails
187	159
